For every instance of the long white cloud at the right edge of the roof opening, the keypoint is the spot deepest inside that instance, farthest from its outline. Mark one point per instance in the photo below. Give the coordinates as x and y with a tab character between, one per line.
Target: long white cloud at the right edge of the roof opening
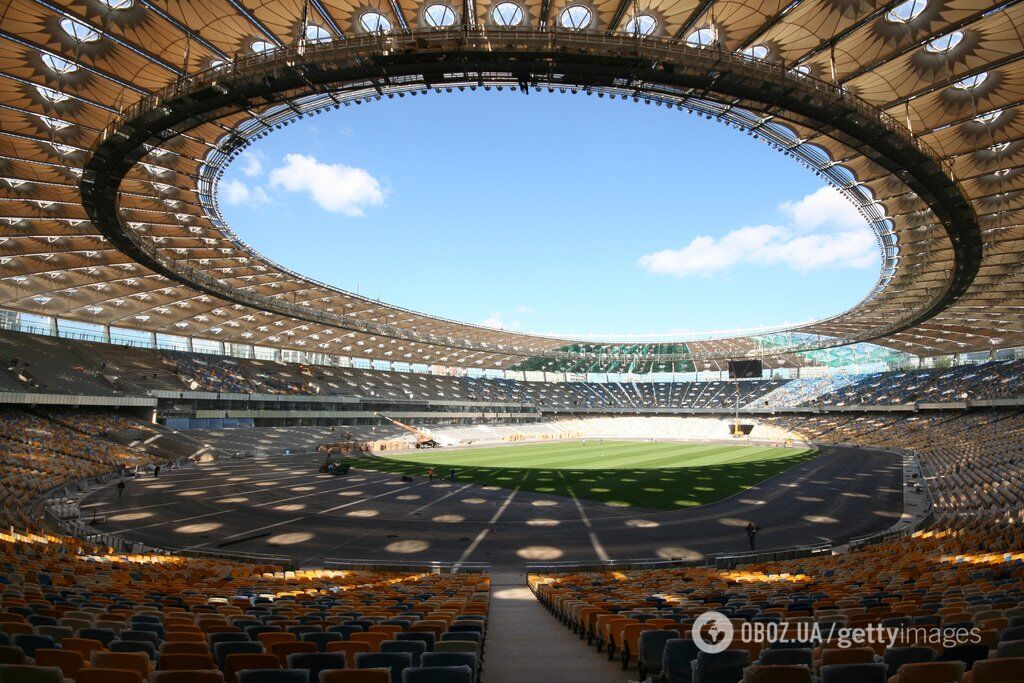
849	243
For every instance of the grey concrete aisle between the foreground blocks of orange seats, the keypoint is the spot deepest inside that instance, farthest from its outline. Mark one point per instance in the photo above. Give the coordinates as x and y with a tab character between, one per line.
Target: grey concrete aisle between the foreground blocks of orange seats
527	645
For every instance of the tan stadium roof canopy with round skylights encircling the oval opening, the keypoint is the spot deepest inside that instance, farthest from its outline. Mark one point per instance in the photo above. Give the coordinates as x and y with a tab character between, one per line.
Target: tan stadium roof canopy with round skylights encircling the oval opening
117	118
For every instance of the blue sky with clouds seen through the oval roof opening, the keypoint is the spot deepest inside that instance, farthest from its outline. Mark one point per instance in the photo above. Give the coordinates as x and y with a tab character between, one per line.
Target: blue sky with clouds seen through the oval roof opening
551	214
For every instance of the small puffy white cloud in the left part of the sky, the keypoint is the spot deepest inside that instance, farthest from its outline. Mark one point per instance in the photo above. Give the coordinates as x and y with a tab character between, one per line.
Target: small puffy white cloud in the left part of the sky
334	187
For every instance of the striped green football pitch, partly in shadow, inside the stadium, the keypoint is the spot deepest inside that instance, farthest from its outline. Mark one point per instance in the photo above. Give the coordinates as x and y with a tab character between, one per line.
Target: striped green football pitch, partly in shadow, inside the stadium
650	475
